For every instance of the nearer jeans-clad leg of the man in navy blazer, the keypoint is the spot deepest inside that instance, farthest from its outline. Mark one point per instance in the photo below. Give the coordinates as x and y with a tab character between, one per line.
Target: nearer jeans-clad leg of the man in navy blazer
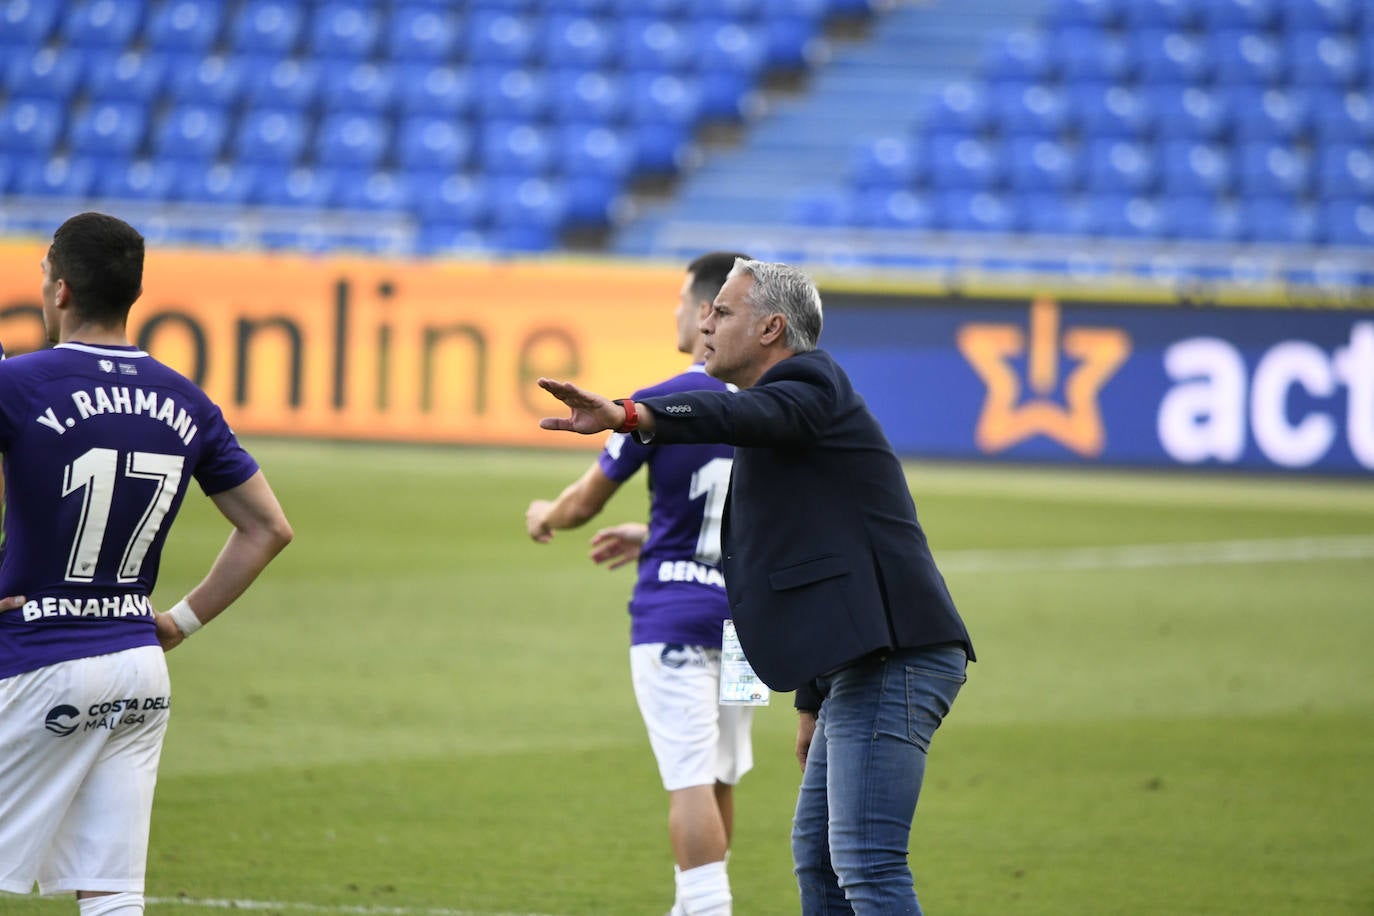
881	716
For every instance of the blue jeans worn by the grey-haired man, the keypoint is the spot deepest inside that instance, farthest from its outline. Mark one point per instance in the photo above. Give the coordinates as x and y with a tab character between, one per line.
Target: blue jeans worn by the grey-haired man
864	778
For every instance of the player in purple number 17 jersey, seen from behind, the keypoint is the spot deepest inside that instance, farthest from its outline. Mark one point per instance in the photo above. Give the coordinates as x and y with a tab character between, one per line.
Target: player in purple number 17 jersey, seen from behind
101	443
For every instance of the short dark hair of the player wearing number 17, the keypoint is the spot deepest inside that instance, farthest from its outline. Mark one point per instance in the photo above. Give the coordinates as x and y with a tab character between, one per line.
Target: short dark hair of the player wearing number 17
101	260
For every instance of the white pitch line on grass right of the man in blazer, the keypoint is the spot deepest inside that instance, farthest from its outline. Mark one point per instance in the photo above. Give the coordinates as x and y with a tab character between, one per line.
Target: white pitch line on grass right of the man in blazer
1298	550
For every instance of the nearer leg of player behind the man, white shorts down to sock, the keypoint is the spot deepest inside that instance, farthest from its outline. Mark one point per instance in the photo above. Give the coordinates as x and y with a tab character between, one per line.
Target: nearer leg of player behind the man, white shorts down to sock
678	696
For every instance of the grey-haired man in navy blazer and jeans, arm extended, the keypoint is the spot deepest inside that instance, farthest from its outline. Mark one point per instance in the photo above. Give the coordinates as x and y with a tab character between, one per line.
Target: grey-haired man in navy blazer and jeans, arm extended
831	580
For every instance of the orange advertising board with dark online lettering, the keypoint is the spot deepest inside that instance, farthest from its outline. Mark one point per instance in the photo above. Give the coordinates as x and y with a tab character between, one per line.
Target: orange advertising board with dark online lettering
372	350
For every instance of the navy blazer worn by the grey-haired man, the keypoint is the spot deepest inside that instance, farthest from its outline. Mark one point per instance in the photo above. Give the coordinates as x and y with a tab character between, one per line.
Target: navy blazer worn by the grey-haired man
824	558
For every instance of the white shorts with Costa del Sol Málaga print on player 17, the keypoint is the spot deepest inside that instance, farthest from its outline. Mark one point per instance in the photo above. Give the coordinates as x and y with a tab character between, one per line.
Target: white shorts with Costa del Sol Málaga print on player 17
80	759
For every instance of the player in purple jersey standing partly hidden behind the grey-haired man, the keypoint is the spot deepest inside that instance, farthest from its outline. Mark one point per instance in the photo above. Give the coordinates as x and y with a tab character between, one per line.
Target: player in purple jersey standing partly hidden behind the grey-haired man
677	612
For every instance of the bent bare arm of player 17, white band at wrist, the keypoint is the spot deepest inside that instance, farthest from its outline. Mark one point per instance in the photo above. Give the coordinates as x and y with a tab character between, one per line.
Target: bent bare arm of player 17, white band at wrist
260	532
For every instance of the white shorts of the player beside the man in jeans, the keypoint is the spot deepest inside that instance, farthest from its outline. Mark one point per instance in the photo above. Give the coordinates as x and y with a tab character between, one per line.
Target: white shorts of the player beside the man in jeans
696	741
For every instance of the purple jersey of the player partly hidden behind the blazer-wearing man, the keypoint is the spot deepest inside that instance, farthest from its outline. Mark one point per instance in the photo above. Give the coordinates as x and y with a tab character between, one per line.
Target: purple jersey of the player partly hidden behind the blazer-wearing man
681	594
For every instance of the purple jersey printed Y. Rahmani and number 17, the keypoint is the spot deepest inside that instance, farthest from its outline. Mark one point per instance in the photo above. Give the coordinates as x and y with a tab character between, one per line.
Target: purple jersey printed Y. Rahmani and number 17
101	444
